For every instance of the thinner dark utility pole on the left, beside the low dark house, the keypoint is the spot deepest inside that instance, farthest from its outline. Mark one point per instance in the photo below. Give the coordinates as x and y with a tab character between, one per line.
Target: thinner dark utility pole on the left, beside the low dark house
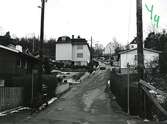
41	43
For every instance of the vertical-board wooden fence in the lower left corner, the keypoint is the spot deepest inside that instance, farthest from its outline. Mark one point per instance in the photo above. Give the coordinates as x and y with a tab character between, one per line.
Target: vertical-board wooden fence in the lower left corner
10	97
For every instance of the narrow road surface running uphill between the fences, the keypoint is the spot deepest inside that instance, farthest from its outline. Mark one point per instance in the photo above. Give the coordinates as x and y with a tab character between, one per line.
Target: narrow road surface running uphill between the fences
86	103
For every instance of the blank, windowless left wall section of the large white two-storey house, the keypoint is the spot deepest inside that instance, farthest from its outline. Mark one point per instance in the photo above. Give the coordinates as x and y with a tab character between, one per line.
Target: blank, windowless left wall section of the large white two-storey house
64	51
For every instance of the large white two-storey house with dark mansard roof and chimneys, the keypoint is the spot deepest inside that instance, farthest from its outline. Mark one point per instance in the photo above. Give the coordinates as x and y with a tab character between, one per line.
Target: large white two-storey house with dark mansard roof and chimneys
74	50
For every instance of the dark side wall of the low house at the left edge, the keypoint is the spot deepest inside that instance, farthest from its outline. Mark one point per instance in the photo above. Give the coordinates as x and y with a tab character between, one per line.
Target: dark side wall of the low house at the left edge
12	63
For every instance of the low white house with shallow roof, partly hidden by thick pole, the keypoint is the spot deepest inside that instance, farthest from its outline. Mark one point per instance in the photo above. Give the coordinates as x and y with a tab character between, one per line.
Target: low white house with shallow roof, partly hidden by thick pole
130	56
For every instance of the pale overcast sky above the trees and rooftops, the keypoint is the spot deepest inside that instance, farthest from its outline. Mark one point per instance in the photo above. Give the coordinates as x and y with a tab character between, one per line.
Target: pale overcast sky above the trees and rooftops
101	19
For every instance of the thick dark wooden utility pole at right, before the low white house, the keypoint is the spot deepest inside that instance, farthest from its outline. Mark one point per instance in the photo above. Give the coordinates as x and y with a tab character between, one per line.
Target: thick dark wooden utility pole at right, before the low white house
140	56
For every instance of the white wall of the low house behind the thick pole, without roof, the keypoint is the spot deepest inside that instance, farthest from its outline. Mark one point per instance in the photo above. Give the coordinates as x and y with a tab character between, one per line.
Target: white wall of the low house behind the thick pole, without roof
129	57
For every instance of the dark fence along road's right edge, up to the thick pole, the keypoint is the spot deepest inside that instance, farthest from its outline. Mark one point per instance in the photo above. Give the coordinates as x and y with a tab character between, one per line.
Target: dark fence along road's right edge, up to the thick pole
119	89
